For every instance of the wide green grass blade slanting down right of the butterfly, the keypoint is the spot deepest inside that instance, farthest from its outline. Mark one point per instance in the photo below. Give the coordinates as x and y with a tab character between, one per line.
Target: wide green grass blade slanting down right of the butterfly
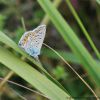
72	40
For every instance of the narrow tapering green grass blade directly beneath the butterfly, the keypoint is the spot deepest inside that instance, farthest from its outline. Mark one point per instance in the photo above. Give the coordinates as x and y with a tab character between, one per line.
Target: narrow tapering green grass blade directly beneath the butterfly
10	43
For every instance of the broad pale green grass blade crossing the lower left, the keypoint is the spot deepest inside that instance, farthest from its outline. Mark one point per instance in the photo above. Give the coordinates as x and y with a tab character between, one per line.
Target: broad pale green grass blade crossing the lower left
32	76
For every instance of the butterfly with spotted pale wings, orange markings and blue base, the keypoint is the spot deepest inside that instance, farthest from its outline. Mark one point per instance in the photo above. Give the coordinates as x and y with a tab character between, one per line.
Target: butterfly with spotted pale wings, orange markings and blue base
31	41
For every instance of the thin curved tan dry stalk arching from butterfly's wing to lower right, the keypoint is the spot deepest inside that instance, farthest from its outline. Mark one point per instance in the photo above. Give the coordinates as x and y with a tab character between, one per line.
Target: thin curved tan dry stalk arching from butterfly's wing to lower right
73	70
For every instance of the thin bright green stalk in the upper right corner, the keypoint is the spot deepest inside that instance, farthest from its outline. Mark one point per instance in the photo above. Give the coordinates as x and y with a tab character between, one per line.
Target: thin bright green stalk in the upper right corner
83	28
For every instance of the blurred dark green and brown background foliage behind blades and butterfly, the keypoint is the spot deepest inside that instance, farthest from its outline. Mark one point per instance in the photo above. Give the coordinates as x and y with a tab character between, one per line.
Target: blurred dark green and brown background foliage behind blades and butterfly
12	14
